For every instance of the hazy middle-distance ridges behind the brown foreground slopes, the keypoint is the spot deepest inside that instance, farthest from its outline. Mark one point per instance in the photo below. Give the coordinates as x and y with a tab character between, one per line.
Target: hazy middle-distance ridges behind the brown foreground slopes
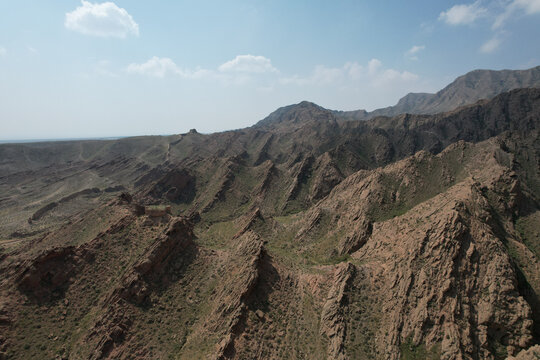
277	167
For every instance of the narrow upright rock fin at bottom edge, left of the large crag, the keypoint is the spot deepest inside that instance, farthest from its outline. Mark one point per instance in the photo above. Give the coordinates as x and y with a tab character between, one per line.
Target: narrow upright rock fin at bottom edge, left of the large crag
332	315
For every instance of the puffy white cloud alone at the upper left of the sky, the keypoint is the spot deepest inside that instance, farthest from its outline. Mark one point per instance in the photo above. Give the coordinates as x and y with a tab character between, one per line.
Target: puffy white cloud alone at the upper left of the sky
104	20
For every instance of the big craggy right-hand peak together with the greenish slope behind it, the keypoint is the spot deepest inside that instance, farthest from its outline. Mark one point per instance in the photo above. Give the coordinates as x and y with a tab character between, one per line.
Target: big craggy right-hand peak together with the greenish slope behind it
441	267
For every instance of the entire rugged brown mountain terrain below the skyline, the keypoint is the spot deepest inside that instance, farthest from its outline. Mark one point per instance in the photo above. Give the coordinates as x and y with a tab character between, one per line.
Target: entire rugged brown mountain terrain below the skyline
314	234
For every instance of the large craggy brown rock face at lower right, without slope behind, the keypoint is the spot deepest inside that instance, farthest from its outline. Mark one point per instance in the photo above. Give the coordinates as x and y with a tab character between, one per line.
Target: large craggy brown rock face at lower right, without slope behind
452	285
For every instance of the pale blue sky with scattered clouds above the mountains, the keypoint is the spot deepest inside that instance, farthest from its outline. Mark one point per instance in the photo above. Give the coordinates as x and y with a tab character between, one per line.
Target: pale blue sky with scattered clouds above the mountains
81	69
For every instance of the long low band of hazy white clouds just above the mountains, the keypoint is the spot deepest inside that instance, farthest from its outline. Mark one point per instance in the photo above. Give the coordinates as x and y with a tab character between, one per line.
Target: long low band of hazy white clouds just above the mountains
370	82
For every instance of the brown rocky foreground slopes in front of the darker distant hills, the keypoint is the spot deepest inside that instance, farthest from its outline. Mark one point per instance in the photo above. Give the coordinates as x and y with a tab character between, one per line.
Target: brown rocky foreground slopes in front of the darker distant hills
434	273
